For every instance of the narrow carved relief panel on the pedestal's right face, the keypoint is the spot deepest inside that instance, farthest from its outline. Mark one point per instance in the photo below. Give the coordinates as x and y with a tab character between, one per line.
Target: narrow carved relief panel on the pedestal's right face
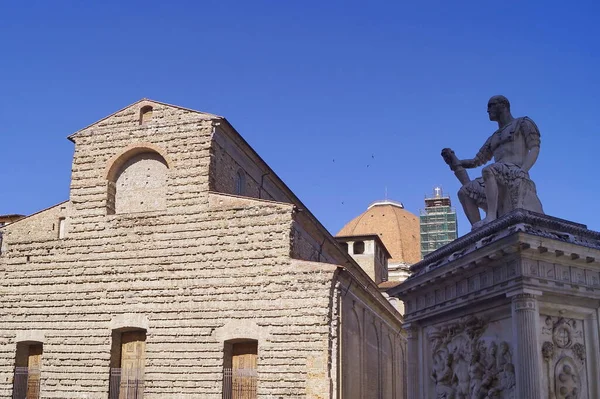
563	351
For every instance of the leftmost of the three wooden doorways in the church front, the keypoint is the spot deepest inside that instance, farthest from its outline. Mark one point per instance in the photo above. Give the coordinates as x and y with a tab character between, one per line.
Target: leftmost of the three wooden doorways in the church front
26	382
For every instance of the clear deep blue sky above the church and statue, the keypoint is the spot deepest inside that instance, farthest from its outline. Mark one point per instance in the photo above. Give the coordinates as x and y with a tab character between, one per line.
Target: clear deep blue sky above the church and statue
341	98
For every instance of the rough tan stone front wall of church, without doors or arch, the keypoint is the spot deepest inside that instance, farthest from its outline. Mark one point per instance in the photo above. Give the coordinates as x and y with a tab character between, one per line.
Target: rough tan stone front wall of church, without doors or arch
208	268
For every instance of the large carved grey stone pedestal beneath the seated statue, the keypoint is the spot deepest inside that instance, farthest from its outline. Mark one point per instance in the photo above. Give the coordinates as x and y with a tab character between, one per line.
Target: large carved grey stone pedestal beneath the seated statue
507	311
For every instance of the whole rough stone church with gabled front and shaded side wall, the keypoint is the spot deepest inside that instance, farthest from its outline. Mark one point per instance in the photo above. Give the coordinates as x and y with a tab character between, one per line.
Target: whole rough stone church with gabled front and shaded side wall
182	267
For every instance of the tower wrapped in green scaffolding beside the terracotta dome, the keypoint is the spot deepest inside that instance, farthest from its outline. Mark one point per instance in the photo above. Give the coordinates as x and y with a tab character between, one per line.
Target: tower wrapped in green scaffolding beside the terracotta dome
438	224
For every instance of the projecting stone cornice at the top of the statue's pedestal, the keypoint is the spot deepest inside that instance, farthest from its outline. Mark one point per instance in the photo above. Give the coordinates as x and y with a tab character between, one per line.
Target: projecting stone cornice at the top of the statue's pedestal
521	253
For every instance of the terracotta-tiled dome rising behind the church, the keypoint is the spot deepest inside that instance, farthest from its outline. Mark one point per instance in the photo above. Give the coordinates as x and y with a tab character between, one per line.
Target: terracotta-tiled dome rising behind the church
397	228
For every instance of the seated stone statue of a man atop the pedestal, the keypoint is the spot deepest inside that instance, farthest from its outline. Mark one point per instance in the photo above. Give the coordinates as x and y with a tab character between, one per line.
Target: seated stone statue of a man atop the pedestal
505	184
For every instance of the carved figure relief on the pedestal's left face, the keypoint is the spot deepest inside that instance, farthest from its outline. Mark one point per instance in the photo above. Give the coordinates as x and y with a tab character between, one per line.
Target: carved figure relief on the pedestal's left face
465	366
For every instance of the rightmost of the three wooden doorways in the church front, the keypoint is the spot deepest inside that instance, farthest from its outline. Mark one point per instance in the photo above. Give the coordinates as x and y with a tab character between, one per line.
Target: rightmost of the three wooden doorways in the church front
239	370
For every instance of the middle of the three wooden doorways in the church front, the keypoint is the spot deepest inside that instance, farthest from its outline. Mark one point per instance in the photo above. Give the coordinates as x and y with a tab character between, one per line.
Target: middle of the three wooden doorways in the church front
128	356
